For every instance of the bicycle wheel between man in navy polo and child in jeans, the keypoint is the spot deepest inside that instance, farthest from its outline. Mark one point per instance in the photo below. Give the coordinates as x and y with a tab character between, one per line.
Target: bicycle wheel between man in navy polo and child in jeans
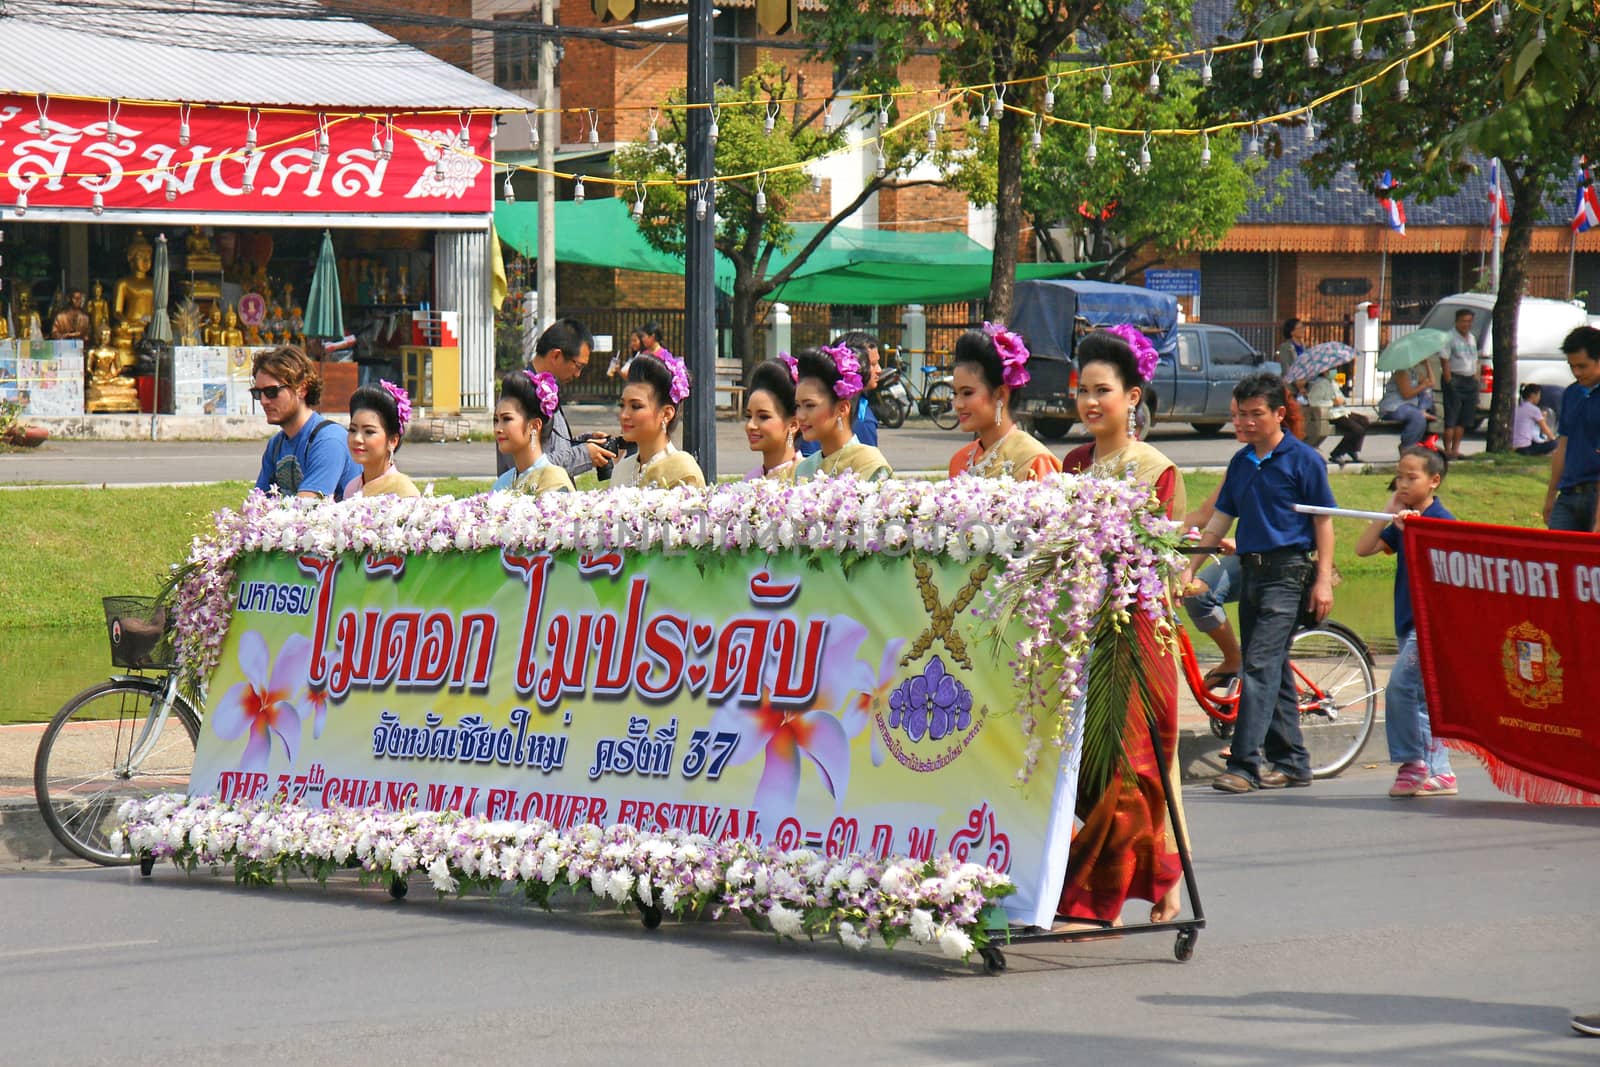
1338	697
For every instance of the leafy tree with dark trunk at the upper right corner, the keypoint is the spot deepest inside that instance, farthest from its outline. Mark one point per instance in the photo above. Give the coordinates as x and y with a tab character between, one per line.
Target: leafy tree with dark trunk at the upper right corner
1527	95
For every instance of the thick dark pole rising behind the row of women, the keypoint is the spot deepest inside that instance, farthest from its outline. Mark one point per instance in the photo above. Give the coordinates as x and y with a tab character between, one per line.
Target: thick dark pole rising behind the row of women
700	319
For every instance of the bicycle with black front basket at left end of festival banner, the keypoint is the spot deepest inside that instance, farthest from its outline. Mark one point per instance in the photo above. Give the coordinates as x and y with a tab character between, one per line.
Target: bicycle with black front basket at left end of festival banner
110	743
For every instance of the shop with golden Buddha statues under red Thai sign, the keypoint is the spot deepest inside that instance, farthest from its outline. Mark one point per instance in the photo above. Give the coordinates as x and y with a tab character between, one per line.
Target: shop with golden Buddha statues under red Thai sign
236	198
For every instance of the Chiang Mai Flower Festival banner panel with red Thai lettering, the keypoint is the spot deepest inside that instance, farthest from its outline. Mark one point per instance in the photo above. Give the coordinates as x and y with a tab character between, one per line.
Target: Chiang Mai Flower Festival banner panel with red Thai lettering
774	698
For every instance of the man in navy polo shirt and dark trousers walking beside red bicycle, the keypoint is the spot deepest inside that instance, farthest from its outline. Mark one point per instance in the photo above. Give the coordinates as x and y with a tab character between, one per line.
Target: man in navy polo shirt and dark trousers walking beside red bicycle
1266	479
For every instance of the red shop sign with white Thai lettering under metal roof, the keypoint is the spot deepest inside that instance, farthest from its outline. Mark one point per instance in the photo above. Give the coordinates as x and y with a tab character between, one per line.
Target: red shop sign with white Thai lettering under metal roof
201	159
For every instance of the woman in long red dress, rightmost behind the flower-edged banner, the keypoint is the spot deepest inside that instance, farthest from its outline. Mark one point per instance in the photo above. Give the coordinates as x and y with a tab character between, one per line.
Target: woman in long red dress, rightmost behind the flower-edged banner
1127	847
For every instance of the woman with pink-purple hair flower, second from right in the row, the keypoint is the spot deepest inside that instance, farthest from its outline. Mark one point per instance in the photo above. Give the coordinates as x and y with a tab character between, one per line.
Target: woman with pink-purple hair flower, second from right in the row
990	372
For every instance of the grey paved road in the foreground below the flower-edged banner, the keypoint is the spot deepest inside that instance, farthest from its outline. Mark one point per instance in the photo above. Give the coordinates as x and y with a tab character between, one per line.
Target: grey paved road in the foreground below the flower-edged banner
1343	929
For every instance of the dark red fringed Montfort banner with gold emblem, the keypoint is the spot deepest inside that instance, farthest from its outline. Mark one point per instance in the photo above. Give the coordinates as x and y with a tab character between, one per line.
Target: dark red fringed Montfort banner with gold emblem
1506	623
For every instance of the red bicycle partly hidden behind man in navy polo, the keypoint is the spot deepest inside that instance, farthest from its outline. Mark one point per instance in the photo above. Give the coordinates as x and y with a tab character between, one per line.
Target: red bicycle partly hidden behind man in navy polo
1334	679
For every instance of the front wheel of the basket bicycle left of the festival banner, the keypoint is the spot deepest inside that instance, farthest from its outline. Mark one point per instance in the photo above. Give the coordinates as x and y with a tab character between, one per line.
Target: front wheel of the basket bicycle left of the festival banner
100	751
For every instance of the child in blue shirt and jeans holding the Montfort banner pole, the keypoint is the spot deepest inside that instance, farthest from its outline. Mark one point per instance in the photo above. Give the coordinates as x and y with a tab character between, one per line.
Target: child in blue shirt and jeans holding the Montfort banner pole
1425	765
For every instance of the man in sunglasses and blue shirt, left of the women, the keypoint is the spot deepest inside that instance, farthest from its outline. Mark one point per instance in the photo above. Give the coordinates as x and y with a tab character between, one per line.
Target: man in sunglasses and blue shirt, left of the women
305	458
